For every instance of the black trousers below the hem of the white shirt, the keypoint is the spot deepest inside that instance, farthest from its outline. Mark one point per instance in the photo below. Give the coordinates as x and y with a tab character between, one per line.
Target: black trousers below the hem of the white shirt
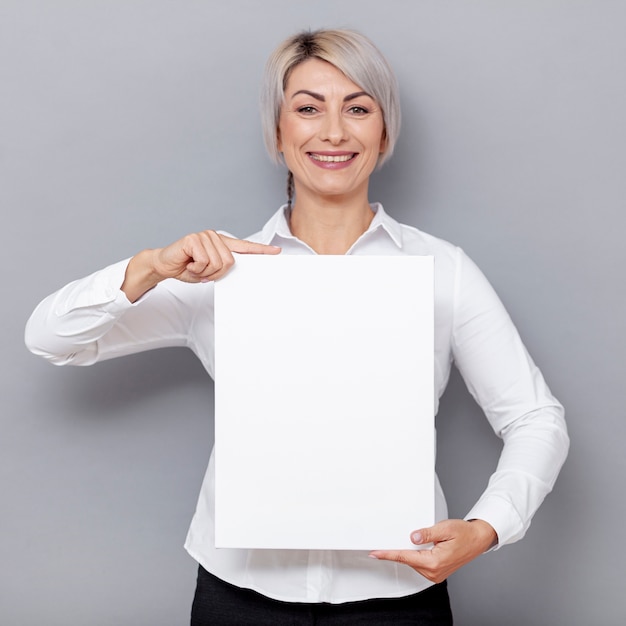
217	603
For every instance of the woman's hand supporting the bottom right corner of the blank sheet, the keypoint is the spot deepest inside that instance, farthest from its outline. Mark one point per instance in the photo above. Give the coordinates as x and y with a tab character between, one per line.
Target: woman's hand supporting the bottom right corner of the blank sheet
456	542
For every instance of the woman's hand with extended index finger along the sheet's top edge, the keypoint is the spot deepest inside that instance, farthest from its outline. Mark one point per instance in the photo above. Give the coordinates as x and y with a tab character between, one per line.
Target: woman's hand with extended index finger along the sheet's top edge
198	257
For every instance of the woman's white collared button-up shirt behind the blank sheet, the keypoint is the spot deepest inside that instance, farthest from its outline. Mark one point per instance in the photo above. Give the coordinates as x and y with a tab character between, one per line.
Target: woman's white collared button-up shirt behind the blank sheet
91	319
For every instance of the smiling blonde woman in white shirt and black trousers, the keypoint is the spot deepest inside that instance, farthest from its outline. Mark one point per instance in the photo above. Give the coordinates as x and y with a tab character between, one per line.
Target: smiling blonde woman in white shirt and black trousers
331	113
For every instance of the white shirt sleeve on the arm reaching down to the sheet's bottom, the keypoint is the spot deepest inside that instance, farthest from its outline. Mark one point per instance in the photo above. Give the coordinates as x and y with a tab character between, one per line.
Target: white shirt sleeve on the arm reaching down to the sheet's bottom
503	379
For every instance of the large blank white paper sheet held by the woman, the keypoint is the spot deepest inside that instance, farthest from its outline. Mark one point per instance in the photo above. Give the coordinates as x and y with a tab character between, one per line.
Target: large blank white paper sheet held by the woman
324	402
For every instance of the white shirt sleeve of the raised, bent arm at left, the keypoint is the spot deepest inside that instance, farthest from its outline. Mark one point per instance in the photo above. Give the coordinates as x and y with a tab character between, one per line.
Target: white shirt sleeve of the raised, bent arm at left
91	319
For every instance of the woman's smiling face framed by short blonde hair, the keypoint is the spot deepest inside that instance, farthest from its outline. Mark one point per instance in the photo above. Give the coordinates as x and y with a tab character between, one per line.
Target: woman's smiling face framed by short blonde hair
330	131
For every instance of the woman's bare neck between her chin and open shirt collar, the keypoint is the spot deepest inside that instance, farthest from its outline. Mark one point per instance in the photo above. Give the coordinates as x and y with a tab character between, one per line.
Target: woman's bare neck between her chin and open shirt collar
330	225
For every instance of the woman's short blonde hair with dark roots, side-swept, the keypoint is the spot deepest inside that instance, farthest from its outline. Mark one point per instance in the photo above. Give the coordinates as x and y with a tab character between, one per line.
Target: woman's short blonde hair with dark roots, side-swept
350	52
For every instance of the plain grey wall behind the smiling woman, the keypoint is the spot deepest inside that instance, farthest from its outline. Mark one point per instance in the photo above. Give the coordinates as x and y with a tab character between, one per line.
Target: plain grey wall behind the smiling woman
127	124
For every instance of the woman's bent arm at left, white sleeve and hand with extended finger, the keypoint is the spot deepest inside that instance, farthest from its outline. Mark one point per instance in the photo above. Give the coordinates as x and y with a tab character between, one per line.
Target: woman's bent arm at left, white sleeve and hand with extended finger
117	310
